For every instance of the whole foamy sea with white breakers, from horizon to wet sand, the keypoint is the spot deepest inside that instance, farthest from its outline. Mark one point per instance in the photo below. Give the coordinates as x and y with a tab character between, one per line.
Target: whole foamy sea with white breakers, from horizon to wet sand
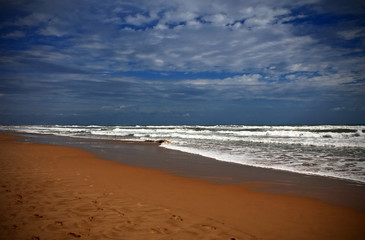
336	151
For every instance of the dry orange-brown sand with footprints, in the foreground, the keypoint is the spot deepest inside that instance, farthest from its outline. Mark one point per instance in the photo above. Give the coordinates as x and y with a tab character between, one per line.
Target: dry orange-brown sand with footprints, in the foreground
55	192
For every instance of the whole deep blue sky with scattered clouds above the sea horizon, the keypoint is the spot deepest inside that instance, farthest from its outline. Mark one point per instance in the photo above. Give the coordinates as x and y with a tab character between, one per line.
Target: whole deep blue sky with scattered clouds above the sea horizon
163	62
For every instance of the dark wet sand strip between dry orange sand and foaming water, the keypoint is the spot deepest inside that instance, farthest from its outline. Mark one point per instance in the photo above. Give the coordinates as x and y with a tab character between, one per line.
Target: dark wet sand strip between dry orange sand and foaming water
149	155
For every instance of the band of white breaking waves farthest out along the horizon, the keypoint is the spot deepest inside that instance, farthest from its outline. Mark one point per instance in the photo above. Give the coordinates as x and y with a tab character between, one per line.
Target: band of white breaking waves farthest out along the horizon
337	136
